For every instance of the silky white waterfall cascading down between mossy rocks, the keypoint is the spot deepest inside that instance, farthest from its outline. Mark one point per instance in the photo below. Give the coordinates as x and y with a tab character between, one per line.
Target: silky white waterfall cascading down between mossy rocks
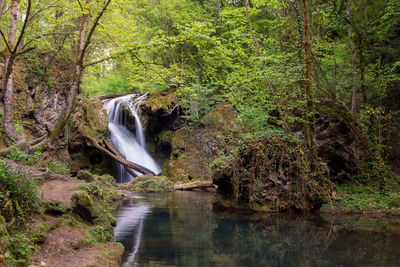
131	146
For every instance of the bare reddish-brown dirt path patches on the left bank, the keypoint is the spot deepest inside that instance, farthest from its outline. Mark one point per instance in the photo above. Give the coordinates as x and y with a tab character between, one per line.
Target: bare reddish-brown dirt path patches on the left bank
61	247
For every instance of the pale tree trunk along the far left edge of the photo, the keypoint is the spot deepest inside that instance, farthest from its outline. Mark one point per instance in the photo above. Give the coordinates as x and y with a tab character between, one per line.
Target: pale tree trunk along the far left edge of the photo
8	83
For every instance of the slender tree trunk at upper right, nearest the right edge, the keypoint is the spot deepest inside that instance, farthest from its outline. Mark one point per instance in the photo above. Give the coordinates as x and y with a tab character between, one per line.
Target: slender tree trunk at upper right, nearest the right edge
354	98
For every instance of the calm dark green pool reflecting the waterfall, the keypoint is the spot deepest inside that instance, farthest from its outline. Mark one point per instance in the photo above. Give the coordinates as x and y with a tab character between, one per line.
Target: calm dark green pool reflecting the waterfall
181	229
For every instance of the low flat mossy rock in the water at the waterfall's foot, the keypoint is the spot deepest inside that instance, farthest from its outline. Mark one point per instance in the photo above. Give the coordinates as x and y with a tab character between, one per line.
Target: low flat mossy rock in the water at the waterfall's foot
149	183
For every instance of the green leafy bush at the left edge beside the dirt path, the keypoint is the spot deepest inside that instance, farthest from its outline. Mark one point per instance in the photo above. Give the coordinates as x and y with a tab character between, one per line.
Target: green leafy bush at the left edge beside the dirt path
18	192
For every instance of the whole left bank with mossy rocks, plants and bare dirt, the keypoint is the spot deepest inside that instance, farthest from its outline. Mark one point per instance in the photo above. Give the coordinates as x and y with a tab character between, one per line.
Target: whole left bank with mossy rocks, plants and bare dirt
69	225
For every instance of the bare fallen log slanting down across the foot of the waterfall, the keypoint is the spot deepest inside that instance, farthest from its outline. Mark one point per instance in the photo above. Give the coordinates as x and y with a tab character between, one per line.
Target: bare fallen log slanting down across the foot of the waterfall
113	152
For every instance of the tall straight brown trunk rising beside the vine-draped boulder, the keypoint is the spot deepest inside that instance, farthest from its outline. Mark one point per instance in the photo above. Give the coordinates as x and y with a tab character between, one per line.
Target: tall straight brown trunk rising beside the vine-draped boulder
310	129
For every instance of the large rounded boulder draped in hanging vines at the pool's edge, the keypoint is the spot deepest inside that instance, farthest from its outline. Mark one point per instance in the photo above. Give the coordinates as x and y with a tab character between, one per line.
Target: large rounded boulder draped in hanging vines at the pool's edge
271	174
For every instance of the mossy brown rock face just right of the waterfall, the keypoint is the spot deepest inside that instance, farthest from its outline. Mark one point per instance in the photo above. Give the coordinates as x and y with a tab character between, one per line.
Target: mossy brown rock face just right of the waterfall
194	148
